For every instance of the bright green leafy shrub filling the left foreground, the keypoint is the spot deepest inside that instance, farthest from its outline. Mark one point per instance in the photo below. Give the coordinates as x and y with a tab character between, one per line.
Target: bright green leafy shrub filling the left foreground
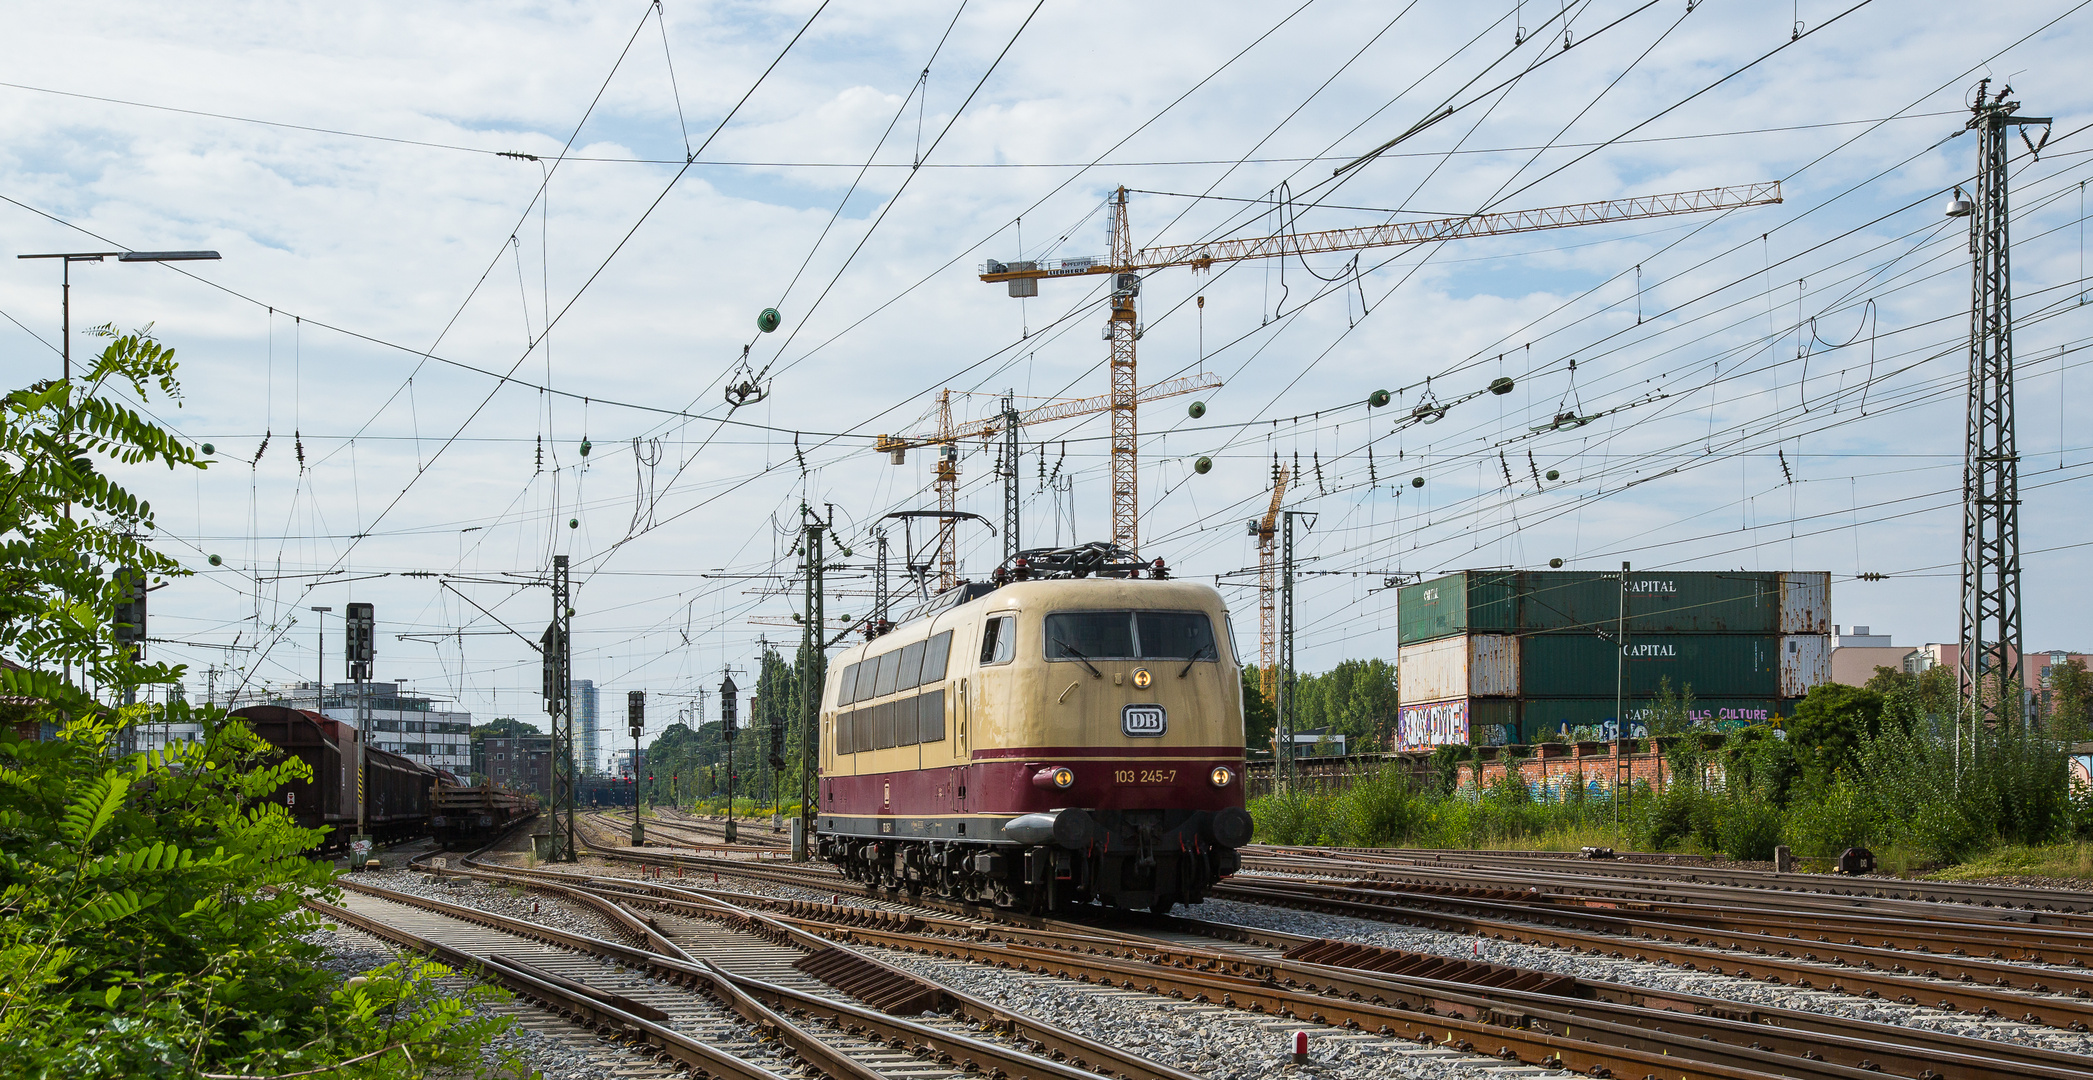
152	912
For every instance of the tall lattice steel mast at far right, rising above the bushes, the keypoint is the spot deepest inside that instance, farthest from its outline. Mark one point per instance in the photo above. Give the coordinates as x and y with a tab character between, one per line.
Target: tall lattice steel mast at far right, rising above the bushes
1991	464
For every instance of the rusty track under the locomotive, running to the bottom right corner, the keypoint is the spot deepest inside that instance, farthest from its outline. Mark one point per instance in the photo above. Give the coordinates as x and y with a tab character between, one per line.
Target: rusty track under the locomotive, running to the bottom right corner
1332	985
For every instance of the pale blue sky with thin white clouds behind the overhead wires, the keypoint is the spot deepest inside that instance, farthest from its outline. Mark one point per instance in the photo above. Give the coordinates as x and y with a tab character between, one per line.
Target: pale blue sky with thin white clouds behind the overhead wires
466	242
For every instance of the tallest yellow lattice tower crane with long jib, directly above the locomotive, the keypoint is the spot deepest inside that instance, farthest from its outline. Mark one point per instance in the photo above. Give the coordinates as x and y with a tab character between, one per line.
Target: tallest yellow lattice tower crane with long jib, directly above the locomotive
1125	267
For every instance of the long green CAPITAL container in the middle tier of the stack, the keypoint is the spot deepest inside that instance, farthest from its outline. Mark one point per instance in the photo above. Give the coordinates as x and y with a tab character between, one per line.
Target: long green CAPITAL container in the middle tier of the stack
1709	665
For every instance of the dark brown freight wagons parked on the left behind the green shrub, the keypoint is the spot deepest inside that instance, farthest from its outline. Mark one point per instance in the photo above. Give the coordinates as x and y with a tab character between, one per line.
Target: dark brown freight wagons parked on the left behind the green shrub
403	798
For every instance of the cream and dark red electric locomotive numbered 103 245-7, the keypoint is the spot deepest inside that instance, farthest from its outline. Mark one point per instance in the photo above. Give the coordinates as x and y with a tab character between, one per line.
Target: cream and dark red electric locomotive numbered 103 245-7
1066	734
